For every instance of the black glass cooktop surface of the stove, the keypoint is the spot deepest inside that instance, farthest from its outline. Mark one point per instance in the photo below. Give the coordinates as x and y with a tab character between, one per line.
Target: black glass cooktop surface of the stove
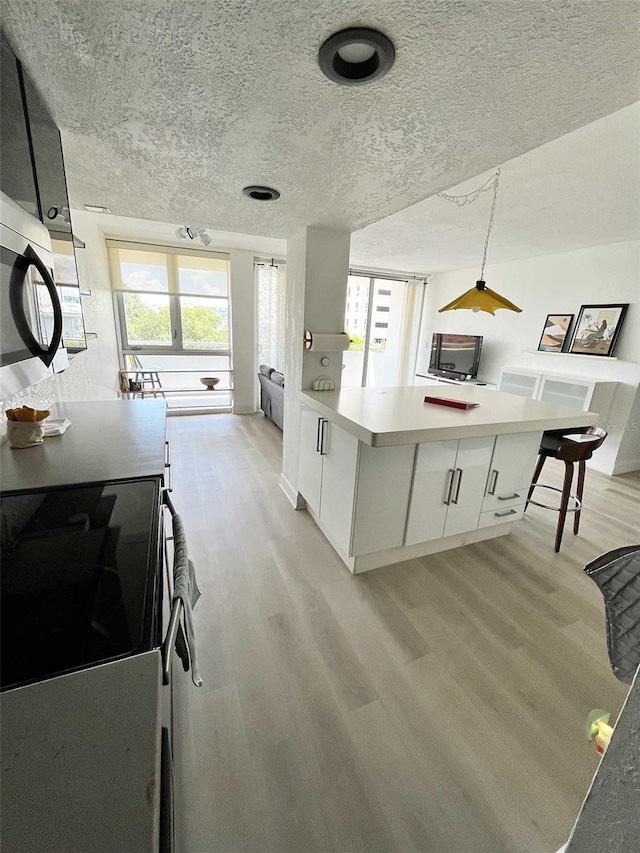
80	577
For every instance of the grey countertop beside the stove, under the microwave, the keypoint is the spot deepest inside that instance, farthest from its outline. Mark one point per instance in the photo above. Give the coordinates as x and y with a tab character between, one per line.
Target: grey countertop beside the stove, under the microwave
107	440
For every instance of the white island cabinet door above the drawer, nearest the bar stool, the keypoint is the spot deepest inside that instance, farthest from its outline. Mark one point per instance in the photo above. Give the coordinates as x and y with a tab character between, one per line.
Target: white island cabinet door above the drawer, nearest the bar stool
511	470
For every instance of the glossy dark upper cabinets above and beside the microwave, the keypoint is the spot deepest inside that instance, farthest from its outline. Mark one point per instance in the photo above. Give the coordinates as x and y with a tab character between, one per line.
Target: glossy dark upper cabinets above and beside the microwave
32	174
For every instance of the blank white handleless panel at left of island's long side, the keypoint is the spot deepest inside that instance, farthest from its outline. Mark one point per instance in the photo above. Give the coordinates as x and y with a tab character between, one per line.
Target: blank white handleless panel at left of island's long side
382	501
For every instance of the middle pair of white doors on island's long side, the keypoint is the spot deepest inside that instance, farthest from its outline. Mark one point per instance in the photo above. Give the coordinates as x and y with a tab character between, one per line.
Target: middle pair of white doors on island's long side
448	488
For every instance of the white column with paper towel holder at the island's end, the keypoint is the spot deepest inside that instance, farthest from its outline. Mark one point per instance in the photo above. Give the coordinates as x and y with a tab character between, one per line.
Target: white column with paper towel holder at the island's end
317	271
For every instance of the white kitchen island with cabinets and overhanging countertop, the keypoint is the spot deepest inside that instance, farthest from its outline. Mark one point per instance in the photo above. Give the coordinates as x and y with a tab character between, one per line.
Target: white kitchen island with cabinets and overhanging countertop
388	477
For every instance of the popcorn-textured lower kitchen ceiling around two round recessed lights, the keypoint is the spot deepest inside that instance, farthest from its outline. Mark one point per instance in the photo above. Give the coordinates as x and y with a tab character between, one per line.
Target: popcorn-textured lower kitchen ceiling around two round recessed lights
168	108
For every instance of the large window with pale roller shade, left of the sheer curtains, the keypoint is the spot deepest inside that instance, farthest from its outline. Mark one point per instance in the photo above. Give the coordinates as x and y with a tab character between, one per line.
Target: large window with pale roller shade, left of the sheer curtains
173	312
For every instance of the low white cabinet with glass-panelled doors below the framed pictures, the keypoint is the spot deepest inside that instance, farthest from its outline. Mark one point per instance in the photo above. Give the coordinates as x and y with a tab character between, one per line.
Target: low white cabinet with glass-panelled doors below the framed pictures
574	392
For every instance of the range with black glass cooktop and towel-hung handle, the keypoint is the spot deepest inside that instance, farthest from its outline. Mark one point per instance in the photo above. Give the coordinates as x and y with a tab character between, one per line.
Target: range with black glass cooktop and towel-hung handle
90	629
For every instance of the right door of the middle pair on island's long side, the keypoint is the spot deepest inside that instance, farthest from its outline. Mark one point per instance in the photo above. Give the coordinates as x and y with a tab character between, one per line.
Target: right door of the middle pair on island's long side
469	481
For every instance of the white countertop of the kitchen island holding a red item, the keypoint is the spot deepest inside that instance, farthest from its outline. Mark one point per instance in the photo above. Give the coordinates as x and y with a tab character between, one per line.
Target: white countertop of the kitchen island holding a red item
389	416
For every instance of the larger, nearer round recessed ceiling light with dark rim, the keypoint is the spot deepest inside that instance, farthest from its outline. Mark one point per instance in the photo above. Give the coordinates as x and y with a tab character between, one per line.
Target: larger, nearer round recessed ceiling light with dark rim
356	56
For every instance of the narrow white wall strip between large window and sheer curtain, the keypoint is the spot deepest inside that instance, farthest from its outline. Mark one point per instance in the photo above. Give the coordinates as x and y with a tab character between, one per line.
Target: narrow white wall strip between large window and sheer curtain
243	331
